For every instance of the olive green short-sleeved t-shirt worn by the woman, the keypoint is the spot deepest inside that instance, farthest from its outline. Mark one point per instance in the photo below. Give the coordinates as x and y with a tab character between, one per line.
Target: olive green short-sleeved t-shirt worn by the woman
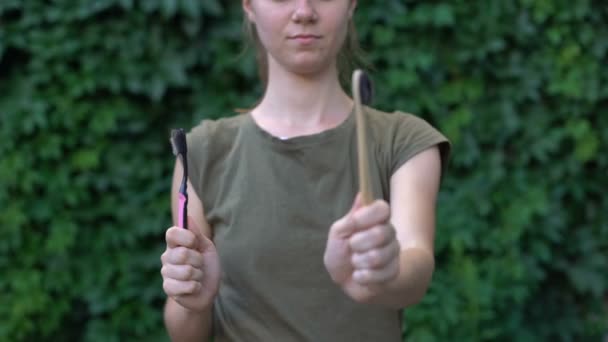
270	203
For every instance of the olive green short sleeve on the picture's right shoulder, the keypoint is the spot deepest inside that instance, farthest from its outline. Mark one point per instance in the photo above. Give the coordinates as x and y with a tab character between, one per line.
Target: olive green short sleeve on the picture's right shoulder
414	135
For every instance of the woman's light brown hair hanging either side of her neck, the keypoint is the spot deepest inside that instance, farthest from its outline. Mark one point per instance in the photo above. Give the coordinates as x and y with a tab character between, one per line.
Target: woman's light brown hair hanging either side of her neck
350	57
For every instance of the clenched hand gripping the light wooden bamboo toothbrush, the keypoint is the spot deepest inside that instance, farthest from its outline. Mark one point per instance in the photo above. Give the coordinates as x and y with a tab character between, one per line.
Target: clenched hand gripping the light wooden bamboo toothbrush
362	252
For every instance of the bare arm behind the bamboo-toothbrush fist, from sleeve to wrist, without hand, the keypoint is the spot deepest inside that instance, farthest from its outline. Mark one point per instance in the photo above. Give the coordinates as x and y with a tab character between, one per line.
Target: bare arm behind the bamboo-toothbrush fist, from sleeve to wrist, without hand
414	188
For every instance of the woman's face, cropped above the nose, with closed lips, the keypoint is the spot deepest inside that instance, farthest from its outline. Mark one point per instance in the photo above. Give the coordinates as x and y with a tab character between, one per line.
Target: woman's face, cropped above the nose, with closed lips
303	36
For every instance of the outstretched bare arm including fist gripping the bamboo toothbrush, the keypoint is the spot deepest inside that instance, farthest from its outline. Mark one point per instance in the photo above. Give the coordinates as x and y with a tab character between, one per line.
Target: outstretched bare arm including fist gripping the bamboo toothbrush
383	254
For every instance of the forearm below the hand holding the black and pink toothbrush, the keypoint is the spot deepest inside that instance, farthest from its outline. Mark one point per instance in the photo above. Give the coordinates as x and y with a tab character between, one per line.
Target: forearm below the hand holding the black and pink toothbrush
184	325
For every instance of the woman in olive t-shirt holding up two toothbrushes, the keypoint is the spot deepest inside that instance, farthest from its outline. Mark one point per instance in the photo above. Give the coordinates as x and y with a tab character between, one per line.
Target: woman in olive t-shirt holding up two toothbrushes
280	247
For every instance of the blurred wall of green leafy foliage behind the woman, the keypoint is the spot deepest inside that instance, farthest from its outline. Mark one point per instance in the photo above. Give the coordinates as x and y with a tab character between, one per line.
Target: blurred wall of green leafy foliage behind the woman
89	91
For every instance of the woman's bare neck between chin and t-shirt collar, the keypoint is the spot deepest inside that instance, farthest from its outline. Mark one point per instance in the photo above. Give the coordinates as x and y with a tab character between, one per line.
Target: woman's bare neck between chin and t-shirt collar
295	104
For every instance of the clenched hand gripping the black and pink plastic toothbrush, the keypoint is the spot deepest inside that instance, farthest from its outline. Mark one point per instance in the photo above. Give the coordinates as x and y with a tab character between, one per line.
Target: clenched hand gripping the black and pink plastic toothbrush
191	268
